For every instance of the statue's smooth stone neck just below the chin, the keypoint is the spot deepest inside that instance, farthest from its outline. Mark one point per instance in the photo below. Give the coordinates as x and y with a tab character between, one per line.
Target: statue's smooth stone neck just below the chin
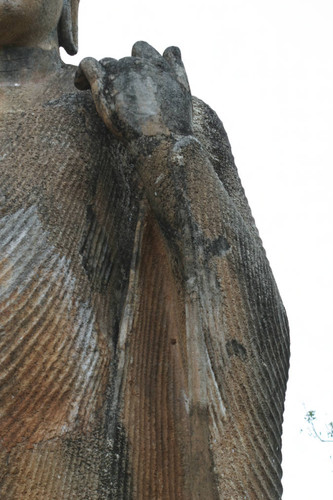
20	65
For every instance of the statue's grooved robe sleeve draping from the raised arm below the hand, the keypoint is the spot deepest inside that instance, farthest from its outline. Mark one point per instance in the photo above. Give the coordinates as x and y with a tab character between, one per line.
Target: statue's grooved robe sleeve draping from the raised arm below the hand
204	344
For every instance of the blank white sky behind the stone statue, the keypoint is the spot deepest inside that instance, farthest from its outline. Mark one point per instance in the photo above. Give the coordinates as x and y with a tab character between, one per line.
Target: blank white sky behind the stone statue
266	68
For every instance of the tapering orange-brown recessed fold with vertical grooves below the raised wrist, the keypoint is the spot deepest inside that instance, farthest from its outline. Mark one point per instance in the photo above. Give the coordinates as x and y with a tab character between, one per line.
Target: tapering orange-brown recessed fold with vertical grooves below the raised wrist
155	419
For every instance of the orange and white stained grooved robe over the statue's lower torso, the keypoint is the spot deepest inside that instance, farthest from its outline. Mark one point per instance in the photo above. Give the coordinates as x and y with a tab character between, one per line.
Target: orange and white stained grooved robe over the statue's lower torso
54	366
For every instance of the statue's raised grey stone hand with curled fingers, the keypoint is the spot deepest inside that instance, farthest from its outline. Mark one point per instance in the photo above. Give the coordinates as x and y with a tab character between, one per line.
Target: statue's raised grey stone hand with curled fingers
143	95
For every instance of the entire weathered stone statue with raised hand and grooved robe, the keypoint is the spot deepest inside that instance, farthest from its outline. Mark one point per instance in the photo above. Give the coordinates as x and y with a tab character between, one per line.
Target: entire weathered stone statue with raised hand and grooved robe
144	345
